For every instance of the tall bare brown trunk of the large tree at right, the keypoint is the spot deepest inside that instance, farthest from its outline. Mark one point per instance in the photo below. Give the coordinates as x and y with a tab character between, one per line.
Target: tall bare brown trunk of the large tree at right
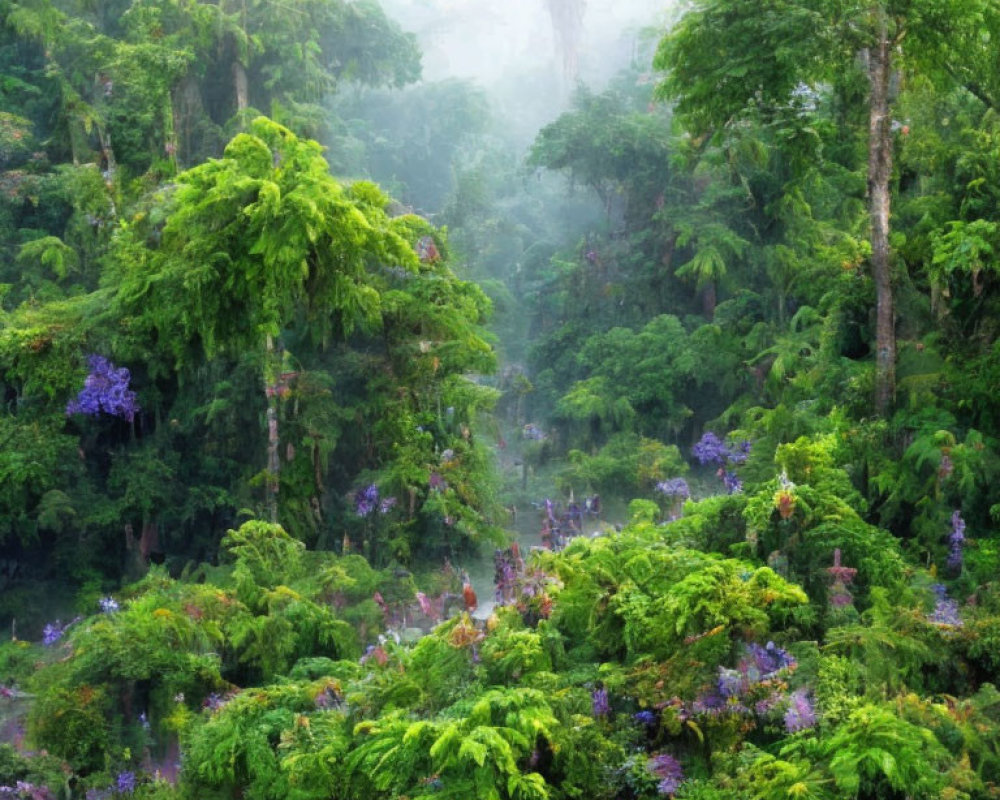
879	172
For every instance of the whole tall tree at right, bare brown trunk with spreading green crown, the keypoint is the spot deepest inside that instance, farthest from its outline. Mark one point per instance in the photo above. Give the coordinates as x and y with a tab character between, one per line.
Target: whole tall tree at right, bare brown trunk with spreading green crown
726	57
